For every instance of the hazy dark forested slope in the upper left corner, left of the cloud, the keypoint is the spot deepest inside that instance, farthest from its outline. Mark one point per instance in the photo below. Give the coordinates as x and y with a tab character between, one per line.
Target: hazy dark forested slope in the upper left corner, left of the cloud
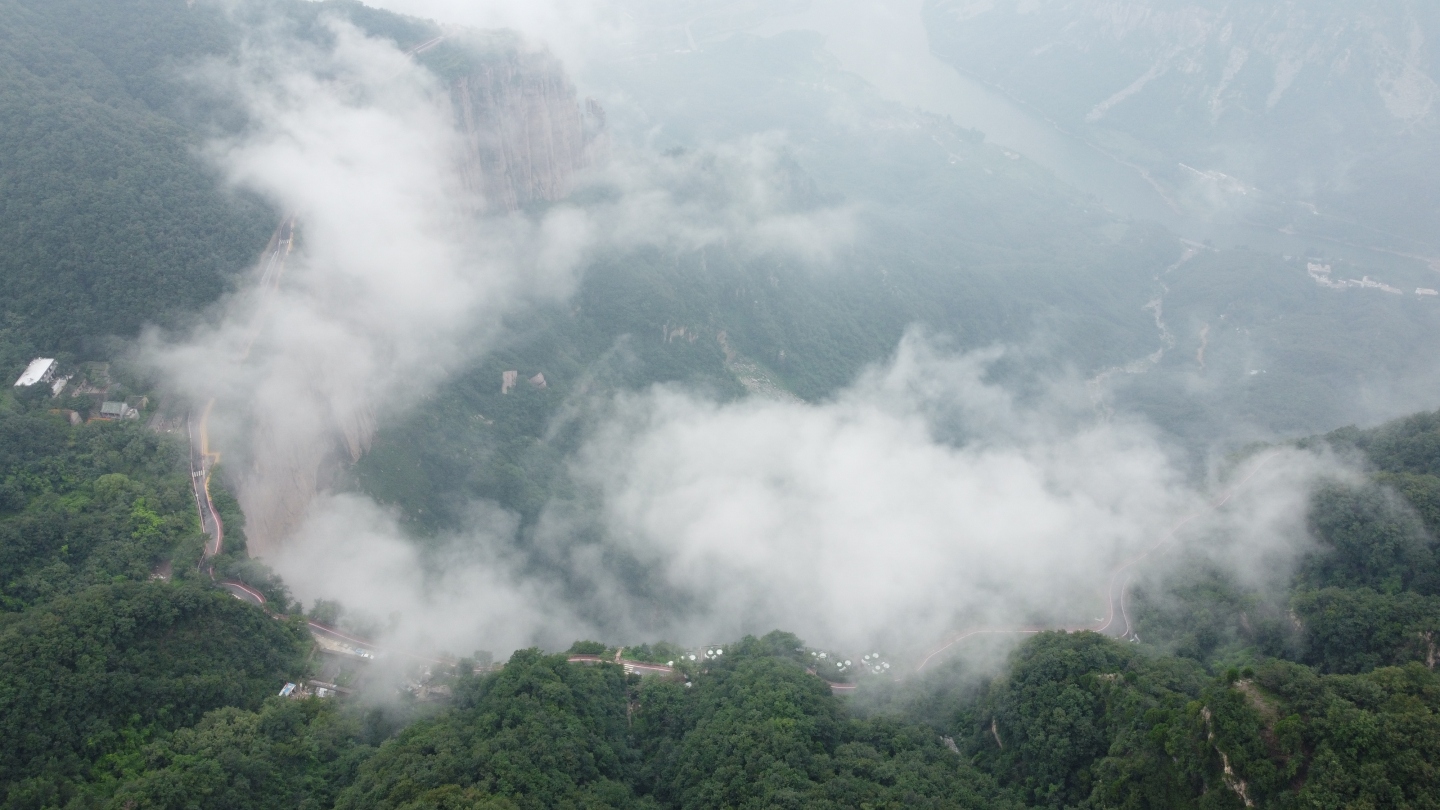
110	214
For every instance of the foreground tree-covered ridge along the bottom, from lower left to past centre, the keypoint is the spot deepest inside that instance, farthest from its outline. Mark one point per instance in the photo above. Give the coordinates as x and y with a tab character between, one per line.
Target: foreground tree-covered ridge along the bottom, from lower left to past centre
757	731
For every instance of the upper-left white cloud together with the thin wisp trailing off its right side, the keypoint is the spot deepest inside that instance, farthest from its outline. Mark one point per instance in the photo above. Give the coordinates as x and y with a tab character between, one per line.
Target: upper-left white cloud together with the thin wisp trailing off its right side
398	277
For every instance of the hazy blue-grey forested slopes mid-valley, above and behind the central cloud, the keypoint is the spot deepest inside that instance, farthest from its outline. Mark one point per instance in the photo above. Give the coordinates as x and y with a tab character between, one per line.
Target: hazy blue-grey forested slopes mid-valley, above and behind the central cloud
961	237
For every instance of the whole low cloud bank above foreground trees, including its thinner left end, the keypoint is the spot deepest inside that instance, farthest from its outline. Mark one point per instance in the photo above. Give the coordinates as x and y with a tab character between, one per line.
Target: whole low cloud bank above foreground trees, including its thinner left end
921	501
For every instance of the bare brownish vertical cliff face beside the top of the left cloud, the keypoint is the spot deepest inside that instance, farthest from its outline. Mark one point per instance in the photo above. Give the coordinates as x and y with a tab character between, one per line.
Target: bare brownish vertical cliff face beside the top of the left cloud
526	130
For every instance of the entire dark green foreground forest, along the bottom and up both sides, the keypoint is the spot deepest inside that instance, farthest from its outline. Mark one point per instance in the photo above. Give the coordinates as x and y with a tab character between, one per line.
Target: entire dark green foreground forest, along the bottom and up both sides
122	688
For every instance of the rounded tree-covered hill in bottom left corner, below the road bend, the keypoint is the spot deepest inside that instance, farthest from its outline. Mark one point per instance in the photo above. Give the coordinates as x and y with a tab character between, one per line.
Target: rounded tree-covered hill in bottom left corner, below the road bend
90	675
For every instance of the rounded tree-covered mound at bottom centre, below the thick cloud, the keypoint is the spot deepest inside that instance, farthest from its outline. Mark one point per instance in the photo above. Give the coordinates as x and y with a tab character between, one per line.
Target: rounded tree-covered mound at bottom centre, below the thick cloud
760	731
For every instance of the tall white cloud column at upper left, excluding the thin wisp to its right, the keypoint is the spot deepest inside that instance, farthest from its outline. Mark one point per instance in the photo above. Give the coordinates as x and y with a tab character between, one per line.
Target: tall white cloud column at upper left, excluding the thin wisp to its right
394	279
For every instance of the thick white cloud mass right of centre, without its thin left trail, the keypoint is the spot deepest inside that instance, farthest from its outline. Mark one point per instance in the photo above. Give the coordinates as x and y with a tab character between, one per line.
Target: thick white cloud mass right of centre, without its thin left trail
919	501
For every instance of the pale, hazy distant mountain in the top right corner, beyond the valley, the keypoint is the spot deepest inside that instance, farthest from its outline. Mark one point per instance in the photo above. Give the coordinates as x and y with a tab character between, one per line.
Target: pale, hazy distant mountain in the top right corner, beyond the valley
1272	110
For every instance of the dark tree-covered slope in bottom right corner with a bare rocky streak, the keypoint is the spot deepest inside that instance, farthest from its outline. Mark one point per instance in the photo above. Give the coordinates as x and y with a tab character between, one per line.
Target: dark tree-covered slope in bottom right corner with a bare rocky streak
1085	721
